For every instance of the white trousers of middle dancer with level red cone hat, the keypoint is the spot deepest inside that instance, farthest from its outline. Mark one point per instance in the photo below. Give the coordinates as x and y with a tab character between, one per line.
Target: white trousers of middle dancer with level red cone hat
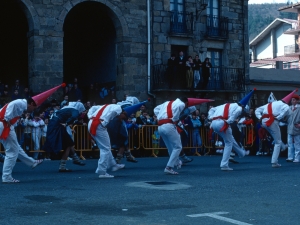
172	140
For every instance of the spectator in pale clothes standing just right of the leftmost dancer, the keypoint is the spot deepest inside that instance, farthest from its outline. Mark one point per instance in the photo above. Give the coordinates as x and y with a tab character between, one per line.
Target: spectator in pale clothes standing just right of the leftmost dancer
37	125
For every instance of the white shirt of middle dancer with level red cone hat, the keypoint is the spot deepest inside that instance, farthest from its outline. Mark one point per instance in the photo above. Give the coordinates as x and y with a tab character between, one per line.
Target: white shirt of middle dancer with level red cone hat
177	107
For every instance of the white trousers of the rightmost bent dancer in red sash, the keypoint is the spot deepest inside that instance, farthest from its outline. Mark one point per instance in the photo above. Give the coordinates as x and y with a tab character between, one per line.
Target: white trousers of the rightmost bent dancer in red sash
274	131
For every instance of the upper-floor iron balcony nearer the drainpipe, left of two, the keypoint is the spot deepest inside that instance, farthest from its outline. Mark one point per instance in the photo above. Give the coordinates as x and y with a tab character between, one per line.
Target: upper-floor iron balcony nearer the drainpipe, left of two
181	23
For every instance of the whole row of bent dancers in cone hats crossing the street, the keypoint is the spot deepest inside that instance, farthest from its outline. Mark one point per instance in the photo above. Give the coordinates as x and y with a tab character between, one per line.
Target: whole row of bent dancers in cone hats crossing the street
59	134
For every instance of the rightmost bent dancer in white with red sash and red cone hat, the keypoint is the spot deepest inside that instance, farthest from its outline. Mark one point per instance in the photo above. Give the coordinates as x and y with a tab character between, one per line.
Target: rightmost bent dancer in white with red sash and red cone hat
270	115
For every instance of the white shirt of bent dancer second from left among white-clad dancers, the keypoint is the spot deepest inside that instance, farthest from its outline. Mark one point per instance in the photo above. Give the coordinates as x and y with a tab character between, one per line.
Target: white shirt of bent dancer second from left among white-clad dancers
110	112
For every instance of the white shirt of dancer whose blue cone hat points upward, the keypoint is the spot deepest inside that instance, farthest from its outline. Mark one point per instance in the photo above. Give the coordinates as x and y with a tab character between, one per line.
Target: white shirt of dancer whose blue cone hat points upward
234	112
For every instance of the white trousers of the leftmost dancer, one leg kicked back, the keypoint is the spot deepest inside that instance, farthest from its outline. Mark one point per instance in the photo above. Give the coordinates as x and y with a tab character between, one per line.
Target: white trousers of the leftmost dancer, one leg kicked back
13	151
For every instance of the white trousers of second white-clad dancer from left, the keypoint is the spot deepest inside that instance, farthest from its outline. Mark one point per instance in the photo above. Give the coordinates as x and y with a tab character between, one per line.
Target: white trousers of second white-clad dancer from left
106	160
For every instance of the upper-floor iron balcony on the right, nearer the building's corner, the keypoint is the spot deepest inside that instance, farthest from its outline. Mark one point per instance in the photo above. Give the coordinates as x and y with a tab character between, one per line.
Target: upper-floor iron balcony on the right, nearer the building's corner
216	27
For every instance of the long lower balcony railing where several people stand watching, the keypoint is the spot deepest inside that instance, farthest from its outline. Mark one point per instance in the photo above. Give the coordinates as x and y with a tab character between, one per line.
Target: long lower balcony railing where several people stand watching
221	79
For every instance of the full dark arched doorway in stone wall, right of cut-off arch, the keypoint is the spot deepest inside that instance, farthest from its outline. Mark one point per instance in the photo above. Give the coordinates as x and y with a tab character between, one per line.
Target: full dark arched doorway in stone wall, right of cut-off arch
90	40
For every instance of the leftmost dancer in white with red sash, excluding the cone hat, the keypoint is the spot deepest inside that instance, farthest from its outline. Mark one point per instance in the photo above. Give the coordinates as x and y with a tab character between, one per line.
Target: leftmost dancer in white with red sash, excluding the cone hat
9	115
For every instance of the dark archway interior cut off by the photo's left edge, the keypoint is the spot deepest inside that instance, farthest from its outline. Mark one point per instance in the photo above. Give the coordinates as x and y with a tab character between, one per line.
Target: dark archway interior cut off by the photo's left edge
14	43
